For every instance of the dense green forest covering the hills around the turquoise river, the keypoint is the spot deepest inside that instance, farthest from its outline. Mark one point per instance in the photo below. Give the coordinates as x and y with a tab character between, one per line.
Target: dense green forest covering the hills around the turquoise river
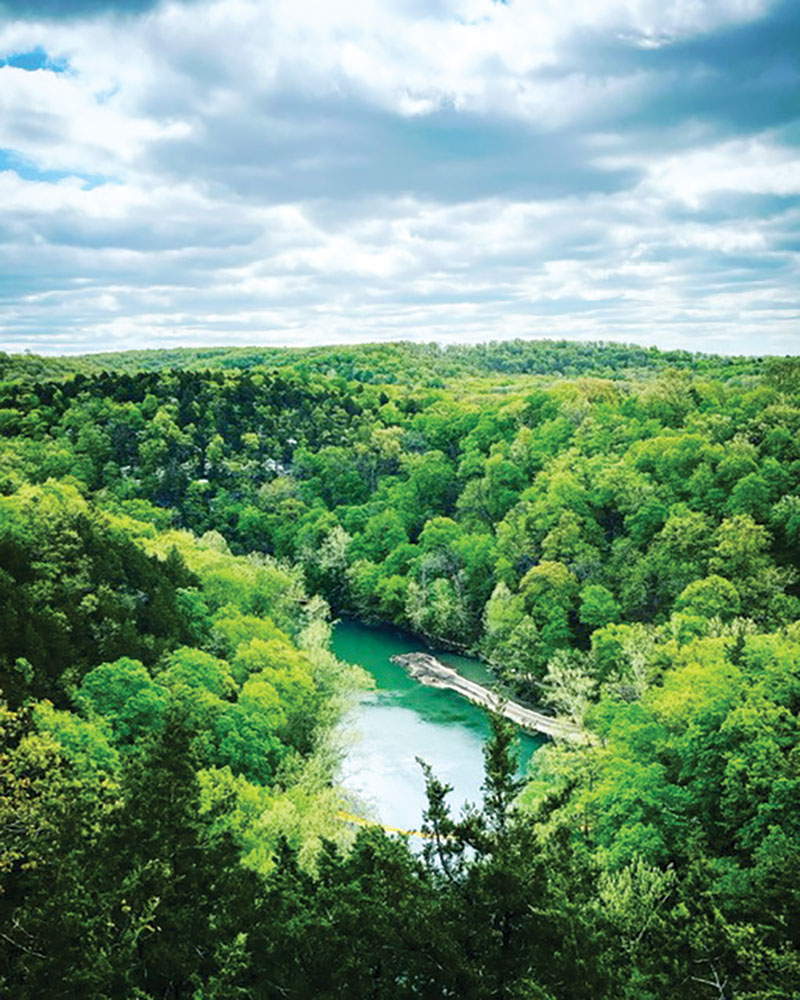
615	530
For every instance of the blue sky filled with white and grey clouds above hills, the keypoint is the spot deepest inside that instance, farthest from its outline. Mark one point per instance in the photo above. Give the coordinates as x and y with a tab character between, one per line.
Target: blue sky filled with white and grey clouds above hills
313	171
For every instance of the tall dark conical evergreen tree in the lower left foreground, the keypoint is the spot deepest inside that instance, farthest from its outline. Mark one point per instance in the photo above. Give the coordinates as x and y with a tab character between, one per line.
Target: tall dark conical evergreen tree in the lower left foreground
170	869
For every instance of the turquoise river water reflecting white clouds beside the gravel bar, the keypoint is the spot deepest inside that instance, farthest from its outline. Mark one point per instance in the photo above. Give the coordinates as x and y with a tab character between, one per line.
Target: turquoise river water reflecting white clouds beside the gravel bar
403	719
